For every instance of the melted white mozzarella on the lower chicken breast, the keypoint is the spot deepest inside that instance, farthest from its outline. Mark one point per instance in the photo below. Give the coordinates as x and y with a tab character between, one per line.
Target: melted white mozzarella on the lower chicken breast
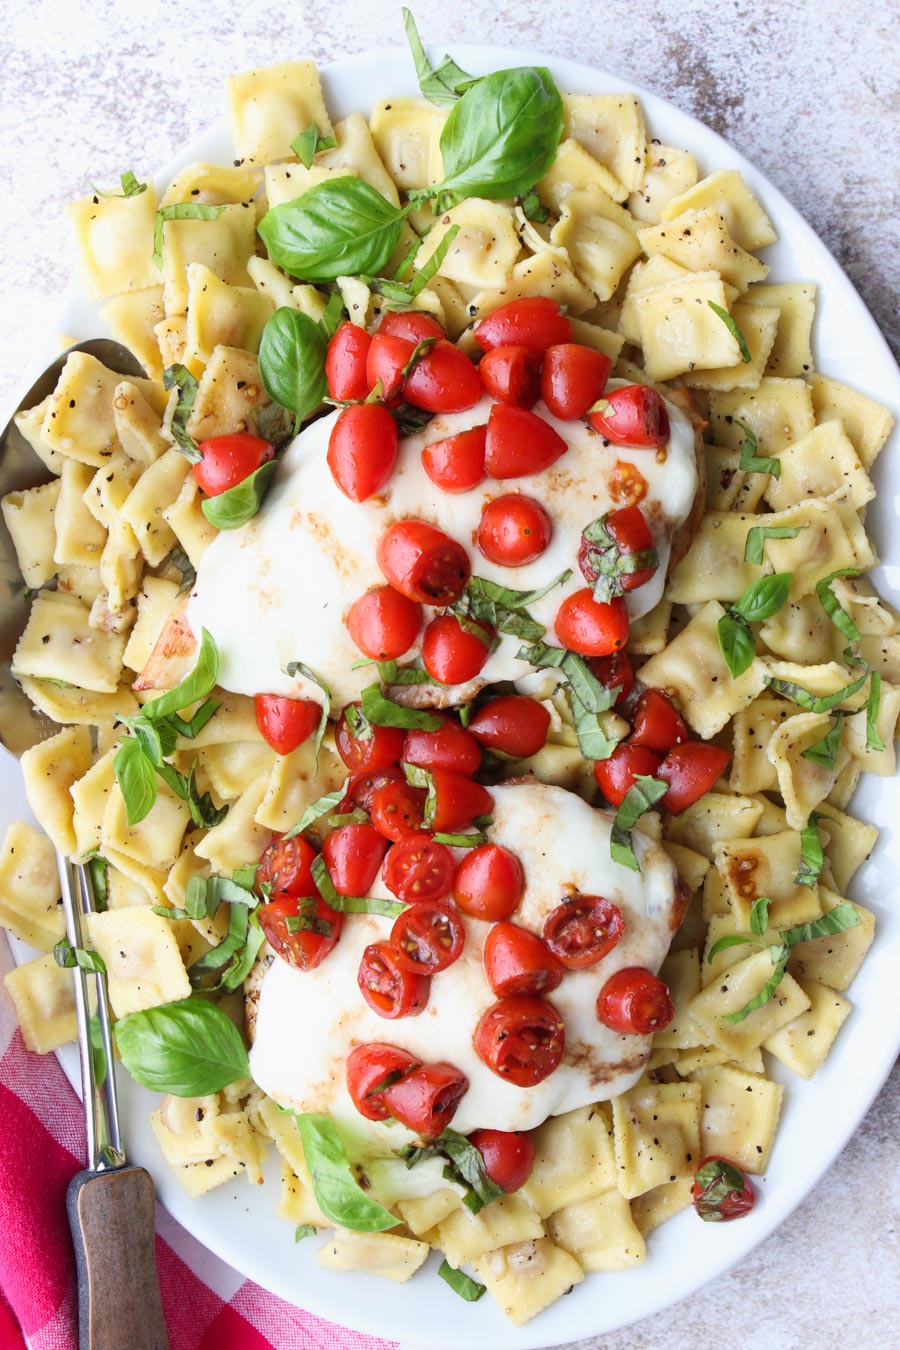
307	1023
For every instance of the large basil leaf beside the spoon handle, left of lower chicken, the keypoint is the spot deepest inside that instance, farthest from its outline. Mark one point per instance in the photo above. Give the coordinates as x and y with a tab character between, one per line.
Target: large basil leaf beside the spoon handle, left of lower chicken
190	1048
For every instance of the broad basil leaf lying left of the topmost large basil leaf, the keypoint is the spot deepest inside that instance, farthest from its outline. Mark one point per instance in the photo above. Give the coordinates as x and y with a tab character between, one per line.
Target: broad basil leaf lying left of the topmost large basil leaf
338	229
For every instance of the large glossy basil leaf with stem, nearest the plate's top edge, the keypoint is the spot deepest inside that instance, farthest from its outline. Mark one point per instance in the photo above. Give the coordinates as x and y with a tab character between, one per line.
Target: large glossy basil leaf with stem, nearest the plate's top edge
500	138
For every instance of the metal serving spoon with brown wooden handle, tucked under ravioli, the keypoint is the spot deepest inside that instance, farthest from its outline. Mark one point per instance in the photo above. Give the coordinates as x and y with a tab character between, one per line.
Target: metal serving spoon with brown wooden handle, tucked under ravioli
111	1202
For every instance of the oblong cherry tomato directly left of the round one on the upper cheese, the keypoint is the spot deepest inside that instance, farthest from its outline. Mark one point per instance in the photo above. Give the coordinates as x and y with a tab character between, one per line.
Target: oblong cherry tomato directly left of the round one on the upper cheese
423	564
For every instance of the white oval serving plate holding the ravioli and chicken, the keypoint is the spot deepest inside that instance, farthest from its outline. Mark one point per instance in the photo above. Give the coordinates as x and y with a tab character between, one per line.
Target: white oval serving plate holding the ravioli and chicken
238	1222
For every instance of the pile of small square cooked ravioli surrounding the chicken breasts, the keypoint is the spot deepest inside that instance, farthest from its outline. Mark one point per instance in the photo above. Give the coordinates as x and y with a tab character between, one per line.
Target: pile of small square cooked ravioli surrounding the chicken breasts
640	249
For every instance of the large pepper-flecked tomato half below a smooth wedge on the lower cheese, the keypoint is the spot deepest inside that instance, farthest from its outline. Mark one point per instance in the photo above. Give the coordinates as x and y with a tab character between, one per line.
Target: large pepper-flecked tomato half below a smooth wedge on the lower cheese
522	1040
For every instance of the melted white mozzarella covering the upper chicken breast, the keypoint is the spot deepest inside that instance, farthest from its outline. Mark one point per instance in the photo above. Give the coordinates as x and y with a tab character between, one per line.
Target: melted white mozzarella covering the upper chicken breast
279	589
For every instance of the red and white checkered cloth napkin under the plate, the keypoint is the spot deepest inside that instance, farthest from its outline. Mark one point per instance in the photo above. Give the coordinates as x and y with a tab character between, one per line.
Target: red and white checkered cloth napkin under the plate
43	1144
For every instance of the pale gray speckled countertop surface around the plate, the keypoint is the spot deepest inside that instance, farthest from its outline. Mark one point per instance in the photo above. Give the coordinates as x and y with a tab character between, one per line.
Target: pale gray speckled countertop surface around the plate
808	91
